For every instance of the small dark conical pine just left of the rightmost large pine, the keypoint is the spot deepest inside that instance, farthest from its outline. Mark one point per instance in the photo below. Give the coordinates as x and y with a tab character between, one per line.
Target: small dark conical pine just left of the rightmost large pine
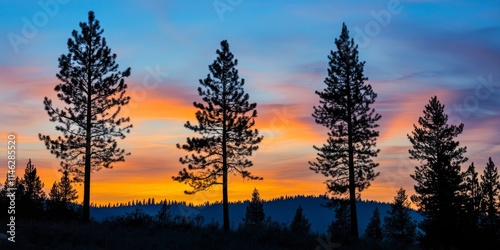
398	225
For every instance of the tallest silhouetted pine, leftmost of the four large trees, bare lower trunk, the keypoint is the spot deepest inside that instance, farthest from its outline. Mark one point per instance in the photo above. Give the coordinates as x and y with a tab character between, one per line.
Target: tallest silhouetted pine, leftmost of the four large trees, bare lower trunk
93	90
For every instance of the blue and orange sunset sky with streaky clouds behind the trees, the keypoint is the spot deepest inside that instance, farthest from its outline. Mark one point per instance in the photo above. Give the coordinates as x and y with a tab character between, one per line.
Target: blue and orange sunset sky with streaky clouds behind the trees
413	50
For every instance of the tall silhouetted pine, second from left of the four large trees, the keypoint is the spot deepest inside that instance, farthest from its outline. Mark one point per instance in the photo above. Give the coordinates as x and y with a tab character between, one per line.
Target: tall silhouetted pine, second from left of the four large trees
225	122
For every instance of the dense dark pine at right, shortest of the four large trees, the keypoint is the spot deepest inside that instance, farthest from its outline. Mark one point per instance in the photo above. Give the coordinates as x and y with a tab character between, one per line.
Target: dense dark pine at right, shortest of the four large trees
438	176
